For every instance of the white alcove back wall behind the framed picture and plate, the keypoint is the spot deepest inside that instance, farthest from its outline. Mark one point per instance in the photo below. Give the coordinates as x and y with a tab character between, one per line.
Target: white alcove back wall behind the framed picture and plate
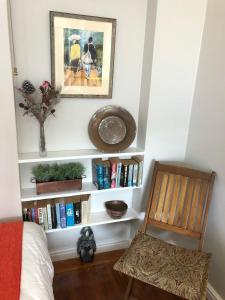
32	44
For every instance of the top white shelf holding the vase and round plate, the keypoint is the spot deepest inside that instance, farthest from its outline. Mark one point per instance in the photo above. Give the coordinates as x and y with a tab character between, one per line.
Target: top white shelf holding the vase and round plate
75	154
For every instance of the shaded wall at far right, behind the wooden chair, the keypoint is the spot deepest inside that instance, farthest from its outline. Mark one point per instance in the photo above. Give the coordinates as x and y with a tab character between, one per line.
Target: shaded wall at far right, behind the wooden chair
206	141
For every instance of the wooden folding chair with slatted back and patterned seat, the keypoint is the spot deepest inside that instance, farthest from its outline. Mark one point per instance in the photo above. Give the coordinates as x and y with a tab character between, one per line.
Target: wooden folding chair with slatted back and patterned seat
179	202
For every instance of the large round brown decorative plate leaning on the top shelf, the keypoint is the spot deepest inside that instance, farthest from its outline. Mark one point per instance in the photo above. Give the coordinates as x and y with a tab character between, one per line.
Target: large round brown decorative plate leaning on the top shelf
112	129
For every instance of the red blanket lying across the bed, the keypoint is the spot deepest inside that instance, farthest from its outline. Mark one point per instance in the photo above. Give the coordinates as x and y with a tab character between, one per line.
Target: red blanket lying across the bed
11	235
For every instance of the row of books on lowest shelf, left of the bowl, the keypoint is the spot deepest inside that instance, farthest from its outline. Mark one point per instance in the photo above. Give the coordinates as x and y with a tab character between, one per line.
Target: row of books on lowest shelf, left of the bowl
52	214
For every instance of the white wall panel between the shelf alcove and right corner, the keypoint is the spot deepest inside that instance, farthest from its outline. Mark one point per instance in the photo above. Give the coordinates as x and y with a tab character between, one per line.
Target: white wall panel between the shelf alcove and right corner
178	34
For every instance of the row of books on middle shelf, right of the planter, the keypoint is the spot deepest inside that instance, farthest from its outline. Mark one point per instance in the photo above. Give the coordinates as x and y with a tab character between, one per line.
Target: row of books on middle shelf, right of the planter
115	172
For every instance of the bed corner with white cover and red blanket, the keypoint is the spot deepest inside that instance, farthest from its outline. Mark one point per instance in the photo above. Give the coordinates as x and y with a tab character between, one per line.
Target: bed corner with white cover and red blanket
25	265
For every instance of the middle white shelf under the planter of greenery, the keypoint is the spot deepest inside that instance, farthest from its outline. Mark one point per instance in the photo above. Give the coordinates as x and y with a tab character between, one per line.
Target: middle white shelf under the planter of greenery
29	194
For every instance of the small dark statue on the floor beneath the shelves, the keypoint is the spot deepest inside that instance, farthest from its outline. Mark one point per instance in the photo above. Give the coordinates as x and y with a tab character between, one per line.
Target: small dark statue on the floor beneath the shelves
86	246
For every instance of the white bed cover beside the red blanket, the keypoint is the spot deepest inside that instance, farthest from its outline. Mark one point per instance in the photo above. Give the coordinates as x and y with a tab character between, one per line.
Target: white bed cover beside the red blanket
37	269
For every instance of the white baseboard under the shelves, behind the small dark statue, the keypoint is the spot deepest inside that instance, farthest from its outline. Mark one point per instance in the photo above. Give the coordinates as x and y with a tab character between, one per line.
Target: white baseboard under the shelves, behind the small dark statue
69	253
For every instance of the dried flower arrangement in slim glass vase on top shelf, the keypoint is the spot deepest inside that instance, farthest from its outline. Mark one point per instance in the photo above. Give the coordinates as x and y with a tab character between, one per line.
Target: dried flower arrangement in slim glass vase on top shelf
39	103
